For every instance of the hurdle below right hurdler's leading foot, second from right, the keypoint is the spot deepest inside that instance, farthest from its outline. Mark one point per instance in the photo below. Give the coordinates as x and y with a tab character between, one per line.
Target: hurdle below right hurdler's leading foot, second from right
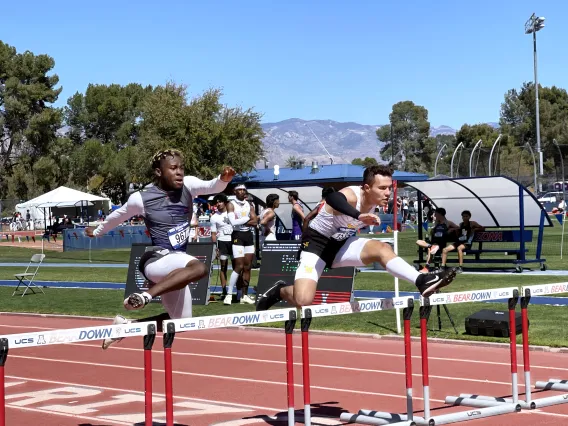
486	406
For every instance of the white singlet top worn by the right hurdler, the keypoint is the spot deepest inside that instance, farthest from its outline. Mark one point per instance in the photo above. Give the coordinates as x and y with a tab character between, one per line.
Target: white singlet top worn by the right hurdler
339	227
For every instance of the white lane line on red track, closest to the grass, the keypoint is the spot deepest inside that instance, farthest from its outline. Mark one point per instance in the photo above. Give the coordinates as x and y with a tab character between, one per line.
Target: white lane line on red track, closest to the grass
277	345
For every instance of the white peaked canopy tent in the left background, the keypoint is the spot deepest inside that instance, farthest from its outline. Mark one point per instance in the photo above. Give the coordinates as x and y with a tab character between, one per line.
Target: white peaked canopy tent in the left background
41	206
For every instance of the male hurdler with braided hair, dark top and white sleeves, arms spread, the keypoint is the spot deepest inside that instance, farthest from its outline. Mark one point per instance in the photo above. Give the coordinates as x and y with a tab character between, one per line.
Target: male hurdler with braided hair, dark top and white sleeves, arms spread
167	209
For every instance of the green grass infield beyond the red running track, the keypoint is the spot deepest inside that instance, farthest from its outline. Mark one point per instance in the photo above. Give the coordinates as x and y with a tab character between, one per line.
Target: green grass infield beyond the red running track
546	321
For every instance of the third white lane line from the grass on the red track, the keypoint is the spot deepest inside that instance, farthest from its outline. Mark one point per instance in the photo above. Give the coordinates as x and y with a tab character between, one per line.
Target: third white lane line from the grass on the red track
213	376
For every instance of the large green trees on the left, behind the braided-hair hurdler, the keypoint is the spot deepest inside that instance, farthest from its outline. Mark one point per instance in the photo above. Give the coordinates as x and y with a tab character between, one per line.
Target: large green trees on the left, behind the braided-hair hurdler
103	139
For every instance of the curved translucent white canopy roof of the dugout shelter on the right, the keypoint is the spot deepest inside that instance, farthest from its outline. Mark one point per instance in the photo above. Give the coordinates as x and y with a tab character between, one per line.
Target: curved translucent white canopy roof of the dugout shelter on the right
492	201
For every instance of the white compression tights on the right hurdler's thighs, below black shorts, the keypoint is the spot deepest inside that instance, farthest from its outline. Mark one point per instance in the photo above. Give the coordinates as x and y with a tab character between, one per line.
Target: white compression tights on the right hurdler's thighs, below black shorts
311	266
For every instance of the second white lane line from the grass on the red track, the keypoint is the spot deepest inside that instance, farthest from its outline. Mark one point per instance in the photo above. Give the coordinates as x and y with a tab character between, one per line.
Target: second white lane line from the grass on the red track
333	367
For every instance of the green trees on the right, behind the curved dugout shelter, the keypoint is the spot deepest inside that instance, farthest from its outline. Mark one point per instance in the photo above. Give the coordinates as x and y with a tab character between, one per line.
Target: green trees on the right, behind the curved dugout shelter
408	145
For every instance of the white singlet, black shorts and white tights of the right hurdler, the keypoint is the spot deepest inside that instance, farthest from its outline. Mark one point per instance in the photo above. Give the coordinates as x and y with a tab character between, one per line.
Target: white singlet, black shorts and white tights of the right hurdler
331	241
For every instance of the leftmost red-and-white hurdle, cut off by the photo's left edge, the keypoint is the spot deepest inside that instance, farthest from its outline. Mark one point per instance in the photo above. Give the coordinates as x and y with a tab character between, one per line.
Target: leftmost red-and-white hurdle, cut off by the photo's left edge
85	334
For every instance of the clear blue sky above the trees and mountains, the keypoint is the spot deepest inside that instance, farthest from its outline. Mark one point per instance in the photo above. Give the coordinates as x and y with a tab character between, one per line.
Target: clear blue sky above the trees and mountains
339	60
